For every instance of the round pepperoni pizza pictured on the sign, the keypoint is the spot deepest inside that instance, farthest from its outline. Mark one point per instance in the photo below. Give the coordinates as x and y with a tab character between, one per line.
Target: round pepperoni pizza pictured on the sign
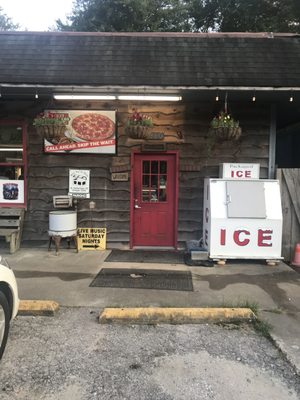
92	126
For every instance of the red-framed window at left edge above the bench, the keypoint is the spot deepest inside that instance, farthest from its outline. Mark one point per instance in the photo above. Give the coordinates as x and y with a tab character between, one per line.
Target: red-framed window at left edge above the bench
12	163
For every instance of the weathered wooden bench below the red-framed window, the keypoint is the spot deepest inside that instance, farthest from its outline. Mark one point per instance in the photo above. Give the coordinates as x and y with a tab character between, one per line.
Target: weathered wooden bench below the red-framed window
11	226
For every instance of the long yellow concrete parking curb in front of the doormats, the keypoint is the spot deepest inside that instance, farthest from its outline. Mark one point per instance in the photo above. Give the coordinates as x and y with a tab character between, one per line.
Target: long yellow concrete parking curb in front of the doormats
158	315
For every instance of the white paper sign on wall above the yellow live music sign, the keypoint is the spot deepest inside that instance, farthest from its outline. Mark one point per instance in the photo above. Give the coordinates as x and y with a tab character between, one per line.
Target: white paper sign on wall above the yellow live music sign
79	183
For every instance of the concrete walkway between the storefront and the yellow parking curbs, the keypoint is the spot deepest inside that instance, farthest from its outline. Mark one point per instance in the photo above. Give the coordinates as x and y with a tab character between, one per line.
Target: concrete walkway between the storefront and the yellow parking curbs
66	278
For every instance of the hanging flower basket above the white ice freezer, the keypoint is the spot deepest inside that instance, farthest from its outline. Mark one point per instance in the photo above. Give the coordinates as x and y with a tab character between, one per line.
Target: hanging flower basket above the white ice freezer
225	127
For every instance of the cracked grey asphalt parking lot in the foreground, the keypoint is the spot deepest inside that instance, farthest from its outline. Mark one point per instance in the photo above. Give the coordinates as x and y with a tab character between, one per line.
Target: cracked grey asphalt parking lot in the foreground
72	356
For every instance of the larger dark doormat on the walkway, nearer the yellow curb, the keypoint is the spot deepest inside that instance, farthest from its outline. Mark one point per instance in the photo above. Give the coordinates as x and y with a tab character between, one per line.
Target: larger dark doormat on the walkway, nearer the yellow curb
144	279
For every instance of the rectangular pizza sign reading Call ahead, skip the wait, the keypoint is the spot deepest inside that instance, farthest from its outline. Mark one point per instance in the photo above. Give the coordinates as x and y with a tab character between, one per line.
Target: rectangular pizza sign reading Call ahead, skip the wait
84	131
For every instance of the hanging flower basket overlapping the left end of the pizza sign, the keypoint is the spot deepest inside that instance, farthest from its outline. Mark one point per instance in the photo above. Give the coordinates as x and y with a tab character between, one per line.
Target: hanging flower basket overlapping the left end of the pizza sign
51	125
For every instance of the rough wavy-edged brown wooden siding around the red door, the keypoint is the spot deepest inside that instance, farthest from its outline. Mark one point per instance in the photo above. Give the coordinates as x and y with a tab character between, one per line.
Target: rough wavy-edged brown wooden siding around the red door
48	173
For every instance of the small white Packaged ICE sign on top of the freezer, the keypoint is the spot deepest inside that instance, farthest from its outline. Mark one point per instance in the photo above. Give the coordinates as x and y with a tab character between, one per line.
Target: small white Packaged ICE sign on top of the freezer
239	171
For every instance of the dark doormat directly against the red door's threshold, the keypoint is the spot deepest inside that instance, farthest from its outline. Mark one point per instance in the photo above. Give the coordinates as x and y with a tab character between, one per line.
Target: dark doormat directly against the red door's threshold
146	256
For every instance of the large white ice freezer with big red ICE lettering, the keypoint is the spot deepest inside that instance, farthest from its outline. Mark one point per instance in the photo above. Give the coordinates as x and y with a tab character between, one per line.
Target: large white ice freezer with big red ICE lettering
242	219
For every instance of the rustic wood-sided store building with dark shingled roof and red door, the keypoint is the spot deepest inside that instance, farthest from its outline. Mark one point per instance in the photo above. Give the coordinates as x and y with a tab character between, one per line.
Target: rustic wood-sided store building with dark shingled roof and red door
147	188
